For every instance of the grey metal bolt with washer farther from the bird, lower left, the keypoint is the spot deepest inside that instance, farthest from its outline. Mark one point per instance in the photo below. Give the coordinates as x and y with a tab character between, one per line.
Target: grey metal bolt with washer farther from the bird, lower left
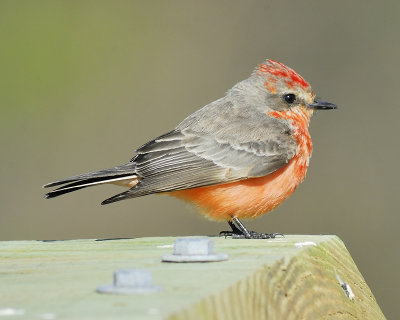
130	281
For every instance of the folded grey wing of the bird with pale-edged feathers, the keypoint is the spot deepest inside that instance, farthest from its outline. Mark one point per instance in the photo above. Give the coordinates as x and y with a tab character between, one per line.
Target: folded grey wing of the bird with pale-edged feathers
197	155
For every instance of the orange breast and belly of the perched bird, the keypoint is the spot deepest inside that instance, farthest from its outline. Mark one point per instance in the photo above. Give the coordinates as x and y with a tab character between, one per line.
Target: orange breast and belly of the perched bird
252	197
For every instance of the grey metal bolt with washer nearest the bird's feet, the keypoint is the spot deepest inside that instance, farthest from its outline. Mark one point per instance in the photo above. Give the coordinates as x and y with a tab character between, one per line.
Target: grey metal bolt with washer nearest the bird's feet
194	250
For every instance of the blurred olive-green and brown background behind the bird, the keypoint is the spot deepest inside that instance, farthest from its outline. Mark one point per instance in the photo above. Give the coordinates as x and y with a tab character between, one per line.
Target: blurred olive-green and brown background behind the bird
84	83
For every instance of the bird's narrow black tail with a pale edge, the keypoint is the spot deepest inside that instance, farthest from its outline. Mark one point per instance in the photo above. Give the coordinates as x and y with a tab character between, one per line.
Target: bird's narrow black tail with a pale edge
115	174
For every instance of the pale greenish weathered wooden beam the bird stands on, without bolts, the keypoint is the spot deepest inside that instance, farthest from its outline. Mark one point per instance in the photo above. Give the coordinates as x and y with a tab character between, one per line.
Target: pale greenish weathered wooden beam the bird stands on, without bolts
263	279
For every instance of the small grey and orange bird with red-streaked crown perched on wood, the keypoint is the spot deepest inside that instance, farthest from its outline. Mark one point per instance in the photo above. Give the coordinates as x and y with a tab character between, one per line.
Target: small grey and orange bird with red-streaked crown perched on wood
238	157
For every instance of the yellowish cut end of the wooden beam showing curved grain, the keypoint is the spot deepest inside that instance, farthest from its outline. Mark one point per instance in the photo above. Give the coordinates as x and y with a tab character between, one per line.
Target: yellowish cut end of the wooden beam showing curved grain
304	286
